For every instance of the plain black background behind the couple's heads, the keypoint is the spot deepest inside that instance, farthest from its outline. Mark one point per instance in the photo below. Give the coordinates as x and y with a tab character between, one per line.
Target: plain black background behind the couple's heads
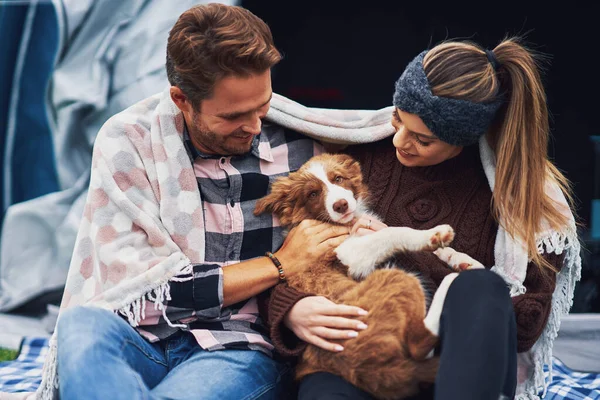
349	54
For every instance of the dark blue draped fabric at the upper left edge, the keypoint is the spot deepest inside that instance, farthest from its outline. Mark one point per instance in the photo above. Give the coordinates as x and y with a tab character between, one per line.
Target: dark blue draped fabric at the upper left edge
29	33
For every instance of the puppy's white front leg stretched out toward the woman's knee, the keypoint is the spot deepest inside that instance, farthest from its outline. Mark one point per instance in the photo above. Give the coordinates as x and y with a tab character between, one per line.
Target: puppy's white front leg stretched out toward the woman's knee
361	254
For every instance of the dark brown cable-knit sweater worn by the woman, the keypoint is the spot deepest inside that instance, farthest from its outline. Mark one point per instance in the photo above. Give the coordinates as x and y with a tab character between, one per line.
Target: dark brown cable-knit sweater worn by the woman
455	192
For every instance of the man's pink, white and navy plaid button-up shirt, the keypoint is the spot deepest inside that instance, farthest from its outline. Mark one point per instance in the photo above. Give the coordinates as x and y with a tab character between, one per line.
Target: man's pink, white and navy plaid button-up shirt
229	188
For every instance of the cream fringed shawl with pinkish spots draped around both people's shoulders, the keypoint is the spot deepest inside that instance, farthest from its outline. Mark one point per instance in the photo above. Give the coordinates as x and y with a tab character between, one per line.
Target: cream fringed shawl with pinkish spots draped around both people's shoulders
131	240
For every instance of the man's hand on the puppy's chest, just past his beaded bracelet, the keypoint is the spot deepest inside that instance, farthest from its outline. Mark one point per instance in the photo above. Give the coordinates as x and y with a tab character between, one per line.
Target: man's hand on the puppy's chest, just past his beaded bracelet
307	243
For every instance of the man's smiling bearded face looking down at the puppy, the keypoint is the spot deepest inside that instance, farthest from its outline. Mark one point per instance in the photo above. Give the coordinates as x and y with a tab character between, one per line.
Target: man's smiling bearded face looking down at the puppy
228	122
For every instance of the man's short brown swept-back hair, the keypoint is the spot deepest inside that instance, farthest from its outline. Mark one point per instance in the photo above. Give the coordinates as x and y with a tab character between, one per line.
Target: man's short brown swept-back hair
211	41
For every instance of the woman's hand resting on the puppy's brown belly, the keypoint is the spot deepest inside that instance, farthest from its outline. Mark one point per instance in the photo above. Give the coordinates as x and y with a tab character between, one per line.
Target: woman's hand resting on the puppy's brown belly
316	320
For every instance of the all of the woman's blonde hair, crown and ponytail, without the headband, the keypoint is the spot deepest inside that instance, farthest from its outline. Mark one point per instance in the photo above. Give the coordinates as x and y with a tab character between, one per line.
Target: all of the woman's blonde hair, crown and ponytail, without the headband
519	135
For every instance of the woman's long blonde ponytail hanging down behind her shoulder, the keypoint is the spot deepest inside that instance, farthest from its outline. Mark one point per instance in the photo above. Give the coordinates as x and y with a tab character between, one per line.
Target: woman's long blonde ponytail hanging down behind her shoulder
520	141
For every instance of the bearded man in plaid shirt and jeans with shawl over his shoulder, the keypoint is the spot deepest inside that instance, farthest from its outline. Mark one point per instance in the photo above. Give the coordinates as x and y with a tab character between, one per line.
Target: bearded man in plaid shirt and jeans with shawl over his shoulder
161	298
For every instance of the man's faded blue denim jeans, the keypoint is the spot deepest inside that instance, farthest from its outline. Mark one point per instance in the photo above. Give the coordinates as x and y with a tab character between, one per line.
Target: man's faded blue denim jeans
100	356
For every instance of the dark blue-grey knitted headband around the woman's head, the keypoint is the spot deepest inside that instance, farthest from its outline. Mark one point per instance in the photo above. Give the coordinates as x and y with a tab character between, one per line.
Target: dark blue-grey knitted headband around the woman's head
457	122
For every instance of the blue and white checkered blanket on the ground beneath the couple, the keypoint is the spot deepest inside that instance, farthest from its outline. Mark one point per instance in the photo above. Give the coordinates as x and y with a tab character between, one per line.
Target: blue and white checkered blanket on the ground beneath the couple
25	374
